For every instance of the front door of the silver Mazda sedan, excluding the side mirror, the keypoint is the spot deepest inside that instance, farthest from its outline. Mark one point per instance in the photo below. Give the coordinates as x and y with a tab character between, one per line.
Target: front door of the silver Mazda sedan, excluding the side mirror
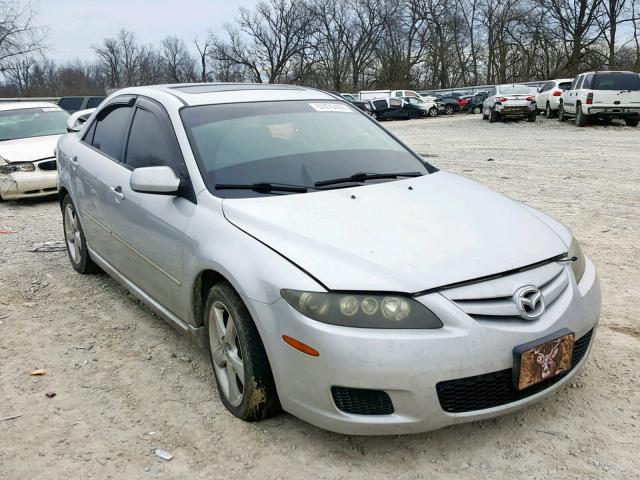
150	227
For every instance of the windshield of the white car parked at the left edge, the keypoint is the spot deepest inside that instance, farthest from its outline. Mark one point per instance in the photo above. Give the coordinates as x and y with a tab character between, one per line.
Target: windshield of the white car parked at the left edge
32	122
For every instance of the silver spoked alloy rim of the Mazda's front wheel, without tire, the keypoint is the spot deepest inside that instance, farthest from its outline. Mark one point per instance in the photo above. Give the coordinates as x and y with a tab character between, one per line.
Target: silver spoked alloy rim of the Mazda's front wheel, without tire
226	353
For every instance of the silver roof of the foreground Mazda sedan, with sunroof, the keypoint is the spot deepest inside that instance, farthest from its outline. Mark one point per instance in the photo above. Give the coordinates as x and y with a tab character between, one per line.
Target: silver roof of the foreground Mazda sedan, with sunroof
191	94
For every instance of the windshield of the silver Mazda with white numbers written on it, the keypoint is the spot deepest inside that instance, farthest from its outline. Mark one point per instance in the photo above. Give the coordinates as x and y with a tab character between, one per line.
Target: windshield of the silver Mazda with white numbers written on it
289	142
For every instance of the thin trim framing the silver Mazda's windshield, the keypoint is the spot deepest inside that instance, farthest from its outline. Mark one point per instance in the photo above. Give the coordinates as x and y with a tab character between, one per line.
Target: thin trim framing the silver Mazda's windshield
199	164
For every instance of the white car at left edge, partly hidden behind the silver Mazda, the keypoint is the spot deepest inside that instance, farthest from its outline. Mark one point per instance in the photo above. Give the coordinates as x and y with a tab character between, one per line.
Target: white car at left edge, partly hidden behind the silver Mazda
29	132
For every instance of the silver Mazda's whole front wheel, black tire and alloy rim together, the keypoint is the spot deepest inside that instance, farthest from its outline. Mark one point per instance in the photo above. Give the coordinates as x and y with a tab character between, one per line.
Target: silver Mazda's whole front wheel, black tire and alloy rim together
240	364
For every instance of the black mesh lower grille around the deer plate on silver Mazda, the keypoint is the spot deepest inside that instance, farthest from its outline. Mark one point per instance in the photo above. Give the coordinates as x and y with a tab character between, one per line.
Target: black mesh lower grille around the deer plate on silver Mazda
496	388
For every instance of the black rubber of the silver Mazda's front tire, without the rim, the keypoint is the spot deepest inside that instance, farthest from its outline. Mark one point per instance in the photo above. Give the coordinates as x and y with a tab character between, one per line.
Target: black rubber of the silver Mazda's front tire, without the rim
259	395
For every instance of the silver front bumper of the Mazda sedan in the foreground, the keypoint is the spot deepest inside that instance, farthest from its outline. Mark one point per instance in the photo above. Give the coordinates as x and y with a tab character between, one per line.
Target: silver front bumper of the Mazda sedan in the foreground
408	365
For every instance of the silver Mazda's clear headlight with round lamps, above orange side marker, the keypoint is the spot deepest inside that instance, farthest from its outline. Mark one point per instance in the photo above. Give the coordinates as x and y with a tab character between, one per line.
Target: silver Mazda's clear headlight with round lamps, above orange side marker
362	310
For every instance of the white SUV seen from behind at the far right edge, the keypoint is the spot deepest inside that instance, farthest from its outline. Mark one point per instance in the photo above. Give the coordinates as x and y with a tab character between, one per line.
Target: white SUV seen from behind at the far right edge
604	95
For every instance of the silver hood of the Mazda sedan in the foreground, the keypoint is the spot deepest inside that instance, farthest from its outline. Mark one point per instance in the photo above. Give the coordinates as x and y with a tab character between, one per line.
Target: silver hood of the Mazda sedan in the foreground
402	236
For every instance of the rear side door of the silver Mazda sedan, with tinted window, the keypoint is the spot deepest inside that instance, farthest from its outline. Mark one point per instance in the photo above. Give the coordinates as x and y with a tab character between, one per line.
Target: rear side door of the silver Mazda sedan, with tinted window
95	164
